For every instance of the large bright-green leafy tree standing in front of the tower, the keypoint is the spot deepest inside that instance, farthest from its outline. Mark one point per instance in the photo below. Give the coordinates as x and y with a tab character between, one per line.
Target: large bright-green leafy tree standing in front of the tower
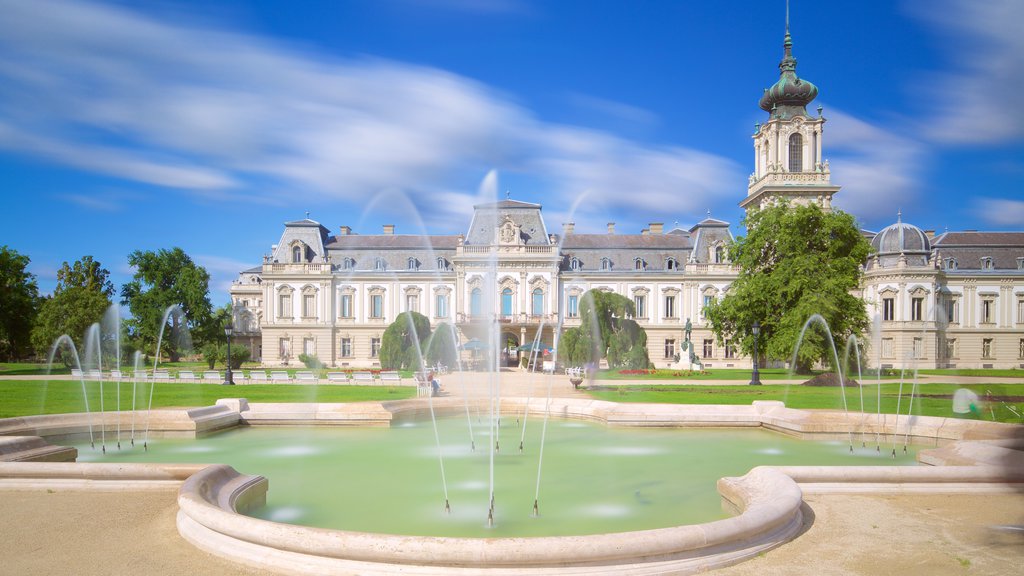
795	262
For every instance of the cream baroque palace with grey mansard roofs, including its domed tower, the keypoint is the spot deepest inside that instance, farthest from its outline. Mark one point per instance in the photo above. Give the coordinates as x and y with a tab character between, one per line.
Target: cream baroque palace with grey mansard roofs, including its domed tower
956	300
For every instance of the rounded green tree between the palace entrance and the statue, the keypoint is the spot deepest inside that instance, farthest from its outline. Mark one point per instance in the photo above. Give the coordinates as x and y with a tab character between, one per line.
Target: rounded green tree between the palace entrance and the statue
607	330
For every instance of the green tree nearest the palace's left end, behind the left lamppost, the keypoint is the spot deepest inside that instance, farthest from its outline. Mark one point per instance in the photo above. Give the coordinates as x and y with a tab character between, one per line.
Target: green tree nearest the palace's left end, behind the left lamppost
163	279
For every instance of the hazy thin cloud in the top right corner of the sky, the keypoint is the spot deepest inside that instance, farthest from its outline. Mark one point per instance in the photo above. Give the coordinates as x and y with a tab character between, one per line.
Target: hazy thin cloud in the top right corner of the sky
978	102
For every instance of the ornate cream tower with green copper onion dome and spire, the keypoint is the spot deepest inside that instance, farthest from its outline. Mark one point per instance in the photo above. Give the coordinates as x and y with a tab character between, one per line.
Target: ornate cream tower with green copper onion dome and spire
788	162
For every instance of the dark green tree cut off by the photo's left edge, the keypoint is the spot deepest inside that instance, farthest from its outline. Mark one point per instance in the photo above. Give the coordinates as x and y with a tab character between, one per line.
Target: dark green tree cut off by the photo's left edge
19	304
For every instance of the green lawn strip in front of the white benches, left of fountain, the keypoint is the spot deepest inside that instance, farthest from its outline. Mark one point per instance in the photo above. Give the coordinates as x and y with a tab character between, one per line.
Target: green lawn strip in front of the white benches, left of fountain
24	398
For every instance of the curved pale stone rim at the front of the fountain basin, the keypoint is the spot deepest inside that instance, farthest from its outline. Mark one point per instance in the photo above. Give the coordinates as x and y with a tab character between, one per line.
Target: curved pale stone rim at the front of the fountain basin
772	515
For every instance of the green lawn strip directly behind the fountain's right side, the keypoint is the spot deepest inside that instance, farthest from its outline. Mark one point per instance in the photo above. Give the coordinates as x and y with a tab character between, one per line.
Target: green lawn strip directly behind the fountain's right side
932	400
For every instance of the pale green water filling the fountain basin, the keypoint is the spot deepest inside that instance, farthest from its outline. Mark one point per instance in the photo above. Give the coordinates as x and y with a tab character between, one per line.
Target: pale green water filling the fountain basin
596	480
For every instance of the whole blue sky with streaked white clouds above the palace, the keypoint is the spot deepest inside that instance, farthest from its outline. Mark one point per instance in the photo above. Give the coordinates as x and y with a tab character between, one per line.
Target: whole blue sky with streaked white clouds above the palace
205	126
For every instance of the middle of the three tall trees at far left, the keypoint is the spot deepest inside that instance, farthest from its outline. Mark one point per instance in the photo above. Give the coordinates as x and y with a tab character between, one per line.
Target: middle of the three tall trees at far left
82	296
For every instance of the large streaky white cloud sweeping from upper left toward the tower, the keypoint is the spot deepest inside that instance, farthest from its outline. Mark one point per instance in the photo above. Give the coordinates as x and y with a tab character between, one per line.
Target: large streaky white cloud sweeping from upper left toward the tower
106	90
